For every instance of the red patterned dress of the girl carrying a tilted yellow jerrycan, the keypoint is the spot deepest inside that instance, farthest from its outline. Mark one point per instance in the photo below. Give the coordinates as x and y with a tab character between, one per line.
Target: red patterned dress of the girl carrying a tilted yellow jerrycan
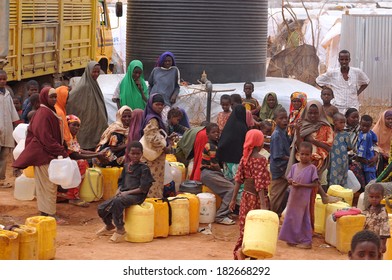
256	169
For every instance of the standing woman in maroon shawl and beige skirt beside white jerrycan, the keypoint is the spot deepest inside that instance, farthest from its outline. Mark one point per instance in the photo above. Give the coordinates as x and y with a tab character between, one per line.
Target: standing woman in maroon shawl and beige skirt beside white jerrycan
44	142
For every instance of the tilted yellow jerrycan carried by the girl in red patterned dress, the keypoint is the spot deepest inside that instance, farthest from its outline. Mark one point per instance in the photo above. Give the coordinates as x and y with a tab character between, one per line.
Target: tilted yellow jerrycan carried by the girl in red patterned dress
260	234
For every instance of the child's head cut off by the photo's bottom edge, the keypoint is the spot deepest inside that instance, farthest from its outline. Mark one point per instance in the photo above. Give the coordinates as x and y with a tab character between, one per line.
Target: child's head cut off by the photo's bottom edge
365	245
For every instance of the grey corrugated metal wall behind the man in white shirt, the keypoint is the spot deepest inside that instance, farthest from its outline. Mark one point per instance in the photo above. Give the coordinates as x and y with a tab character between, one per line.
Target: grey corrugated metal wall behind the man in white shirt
368	38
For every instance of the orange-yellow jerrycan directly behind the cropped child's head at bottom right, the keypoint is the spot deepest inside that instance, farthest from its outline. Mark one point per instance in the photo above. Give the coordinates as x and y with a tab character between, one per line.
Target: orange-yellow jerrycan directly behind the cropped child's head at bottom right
346	227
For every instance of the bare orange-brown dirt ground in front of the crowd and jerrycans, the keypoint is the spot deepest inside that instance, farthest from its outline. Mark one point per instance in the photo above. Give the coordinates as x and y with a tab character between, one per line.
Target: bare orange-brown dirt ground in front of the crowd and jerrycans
77	239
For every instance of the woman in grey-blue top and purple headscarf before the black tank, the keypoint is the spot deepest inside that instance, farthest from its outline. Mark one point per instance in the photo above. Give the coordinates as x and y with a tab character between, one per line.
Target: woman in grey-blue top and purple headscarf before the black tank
164	79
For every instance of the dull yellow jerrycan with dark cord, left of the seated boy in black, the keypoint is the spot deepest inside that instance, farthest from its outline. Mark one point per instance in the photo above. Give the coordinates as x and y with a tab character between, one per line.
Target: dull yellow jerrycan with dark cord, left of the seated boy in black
91	188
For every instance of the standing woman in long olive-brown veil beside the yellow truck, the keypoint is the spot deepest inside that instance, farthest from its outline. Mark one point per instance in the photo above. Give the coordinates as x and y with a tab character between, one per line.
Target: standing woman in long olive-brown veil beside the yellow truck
86	101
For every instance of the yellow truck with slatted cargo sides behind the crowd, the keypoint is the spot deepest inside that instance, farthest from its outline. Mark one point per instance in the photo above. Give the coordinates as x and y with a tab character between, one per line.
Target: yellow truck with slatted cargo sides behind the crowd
53	37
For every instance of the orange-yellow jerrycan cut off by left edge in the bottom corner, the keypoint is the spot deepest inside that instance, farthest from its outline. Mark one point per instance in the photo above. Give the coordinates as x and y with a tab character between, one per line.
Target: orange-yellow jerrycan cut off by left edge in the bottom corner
9	245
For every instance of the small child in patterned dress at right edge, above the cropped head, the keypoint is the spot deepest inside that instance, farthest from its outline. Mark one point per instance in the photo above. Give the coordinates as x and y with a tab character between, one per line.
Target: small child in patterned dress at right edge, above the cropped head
377	216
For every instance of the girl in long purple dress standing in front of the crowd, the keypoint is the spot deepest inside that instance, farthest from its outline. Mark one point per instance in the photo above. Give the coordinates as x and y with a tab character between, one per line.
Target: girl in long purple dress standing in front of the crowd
302	178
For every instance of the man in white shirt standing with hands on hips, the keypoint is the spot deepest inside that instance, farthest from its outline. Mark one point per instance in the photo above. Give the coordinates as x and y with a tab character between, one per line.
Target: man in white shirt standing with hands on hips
346	82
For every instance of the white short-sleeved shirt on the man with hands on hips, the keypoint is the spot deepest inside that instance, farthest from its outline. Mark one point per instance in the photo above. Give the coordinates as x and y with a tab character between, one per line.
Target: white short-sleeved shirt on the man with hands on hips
345	92
